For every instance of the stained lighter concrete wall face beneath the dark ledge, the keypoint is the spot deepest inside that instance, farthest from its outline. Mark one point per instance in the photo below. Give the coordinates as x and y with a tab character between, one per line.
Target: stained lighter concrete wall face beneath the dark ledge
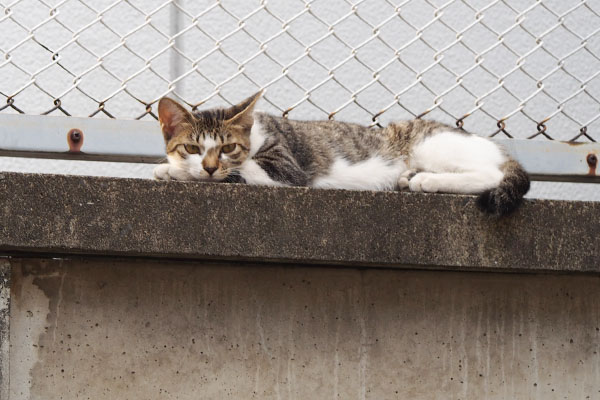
118	330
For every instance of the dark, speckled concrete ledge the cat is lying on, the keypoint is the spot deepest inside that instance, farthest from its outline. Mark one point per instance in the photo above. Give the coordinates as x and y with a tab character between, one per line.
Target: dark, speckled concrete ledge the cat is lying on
124	217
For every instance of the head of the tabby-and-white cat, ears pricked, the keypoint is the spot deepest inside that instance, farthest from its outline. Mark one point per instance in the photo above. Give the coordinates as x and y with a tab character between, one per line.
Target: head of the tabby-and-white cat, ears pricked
210	145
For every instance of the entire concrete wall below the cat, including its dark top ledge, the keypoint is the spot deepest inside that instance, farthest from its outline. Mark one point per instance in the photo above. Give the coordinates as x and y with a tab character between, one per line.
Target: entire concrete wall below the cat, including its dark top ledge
124	288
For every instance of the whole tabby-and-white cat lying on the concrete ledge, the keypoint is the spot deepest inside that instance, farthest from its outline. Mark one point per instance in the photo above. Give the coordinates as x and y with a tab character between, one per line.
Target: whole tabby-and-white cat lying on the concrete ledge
237	144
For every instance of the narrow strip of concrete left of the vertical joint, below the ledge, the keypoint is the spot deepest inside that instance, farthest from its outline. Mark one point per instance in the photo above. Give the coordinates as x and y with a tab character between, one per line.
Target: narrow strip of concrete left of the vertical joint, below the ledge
4	327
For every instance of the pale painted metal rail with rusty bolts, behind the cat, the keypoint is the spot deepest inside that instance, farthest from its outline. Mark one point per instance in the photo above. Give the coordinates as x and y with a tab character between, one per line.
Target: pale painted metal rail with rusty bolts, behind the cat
71	138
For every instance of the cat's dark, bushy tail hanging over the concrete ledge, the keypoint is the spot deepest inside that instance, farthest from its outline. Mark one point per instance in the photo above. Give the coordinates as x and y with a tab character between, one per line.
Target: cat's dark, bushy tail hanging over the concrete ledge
505	198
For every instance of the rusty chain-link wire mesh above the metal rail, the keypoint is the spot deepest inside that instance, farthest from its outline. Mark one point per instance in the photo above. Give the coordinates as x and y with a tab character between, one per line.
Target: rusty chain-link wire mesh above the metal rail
516	68
